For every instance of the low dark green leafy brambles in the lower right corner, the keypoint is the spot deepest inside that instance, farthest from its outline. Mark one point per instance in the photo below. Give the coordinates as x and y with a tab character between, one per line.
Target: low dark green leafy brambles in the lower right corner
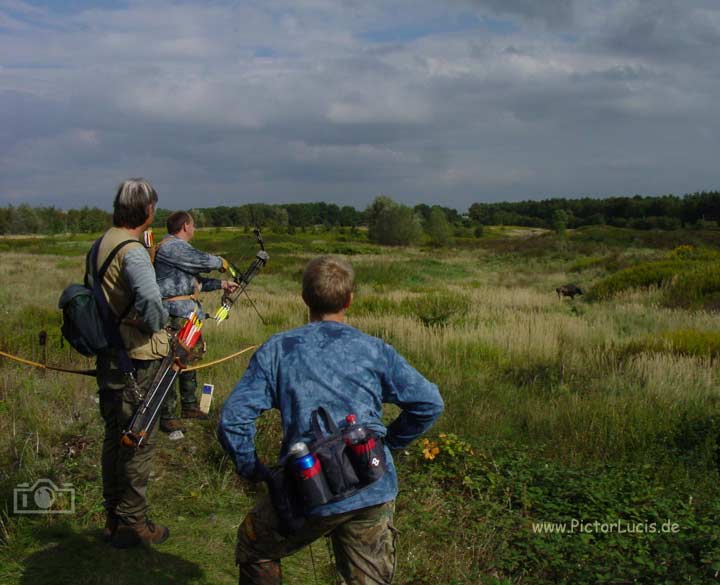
541	521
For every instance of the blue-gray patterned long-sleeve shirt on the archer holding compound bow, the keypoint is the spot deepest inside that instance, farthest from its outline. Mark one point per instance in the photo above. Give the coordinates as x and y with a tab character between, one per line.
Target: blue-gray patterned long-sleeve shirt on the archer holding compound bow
177	267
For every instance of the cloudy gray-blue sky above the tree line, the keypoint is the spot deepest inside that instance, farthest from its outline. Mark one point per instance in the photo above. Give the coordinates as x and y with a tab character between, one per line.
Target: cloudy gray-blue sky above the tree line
446	102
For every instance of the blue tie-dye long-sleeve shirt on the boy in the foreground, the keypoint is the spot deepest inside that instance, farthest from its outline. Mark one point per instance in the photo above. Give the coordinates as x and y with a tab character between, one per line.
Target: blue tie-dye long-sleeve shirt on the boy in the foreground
334	365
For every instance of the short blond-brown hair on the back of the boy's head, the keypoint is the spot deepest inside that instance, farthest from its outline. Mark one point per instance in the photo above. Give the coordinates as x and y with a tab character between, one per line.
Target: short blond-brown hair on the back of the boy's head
328	282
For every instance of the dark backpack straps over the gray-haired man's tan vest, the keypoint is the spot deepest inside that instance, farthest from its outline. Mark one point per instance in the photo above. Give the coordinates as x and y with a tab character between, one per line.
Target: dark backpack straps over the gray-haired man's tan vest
109	320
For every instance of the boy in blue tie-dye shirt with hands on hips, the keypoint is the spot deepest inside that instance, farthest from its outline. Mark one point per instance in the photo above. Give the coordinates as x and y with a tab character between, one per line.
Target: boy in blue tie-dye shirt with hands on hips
328	364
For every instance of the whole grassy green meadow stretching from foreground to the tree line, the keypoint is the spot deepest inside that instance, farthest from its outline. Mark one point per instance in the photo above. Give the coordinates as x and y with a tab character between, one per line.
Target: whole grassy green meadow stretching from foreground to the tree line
598	414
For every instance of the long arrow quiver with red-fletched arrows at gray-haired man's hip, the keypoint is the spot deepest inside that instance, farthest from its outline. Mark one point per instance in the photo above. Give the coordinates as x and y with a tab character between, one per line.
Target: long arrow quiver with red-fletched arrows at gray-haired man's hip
147	413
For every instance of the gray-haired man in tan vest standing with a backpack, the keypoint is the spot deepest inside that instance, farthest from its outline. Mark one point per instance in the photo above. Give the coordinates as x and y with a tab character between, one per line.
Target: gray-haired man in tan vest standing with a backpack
134	301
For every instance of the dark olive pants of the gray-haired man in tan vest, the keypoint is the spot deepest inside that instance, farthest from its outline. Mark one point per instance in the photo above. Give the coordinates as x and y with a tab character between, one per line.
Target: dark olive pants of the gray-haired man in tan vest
125	470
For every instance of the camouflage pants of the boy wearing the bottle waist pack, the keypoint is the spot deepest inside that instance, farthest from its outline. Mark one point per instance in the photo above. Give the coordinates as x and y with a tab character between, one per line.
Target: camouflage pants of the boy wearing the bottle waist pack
363	542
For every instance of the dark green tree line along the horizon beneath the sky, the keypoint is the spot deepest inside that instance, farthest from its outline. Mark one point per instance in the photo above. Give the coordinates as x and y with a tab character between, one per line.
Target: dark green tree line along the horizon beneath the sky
389	222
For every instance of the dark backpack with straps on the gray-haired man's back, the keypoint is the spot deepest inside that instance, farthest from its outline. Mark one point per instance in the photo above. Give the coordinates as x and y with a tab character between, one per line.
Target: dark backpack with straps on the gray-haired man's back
89	325
